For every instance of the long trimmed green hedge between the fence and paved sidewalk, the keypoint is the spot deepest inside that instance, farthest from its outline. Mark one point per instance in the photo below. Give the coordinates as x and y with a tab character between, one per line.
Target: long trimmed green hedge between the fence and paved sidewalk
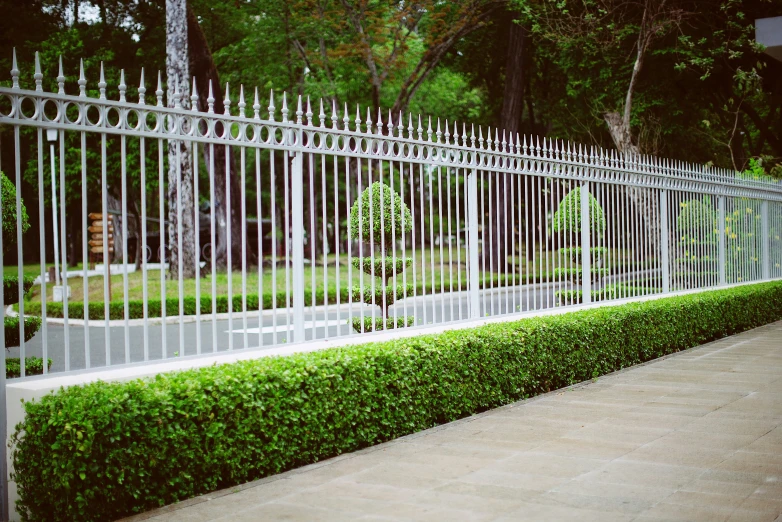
106	450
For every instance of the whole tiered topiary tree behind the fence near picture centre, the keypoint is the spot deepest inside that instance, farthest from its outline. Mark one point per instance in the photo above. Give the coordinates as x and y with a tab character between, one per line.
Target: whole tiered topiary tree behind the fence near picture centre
379	216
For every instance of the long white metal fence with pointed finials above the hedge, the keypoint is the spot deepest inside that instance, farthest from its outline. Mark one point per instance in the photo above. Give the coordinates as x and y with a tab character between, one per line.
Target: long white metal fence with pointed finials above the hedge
492	226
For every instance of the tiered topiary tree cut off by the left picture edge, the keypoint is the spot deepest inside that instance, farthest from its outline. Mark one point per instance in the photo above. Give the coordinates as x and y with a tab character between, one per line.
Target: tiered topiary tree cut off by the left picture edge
11	282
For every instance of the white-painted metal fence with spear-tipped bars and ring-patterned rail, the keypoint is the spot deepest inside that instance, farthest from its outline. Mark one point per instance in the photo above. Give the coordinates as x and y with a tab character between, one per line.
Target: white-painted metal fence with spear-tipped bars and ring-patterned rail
472	196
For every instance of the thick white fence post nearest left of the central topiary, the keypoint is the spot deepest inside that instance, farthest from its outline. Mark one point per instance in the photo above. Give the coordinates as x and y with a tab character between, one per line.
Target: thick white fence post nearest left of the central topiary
297	250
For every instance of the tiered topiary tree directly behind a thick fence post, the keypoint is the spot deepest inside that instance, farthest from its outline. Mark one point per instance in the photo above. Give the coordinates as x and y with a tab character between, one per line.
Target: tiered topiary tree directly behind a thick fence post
567	219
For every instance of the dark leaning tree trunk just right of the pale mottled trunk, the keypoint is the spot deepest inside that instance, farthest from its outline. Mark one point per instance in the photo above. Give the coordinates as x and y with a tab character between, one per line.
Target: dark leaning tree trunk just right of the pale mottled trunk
203	68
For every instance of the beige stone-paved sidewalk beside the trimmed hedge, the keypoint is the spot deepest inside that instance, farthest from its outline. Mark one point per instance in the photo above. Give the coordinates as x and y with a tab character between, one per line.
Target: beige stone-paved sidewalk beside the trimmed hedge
695	436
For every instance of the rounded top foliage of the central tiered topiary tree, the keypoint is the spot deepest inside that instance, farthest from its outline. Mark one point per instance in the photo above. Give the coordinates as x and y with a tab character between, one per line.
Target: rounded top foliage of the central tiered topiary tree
379	215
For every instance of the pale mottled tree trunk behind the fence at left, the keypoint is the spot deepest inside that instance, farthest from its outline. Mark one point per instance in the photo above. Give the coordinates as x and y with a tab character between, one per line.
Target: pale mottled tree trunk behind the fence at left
180	173
